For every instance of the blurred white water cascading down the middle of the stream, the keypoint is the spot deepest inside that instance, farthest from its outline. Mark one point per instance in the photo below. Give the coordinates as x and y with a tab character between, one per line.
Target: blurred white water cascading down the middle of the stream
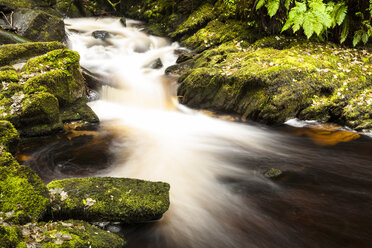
161	140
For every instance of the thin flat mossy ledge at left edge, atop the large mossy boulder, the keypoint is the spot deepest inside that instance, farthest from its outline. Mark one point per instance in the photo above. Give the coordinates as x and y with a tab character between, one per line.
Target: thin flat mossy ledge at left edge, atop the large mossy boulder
13	53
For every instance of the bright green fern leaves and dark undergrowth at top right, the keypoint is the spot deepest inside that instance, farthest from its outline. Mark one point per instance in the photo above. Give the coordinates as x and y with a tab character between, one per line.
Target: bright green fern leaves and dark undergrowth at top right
345	20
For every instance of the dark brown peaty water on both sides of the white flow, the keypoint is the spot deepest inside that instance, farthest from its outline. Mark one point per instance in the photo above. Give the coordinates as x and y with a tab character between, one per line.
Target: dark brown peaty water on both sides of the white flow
323	198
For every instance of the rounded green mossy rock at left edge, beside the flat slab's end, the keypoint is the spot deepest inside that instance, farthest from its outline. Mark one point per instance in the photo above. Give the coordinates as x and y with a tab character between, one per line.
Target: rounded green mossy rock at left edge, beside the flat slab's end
23	196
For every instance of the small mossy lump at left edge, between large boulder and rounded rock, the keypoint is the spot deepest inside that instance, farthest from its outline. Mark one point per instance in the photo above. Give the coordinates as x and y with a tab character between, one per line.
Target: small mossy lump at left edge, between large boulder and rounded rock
9	137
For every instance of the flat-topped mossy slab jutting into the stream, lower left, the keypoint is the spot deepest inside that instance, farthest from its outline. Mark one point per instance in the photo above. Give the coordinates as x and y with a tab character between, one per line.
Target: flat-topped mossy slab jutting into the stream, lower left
108	199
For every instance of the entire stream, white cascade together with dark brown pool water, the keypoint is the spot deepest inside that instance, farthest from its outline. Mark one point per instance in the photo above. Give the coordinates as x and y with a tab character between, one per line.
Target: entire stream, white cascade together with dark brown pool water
219	196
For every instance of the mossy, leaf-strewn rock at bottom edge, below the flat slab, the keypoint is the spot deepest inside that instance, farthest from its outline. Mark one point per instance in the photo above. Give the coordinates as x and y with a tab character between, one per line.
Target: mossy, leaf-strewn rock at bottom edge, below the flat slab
68	234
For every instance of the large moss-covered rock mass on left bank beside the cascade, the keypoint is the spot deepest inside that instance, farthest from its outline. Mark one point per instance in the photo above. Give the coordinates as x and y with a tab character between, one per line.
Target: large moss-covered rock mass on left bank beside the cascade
47	91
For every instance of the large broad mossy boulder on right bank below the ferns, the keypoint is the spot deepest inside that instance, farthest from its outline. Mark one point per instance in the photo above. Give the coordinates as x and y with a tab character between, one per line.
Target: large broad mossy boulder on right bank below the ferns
306	80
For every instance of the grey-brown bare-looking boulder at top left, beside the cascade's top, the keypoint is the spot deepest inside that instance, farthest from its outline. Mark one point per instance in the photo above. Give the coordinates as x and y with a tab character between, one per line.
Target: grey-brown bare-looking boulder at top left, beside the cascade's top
38	25
